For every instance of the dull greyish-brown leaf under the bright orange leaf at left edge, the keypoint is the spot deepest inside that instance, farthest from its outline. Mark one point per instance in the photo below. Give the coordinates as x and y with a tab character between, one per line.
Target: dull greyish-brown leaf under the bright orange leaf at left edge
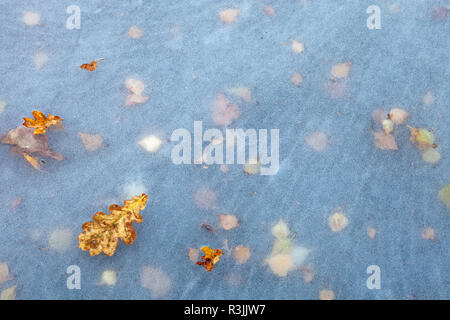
25	141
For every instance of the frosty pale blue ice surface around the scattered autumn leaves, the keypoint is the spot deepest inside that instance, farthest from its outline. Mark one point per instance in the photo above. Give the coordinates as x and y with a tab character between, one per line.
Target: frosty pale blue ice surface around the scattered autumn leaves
187	56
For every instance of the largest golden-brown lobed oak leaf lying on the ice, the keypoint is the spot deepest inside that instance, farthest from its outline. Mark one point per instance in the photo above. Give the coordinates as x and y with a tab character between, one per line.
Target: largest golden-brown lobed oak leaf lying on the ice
102	234
